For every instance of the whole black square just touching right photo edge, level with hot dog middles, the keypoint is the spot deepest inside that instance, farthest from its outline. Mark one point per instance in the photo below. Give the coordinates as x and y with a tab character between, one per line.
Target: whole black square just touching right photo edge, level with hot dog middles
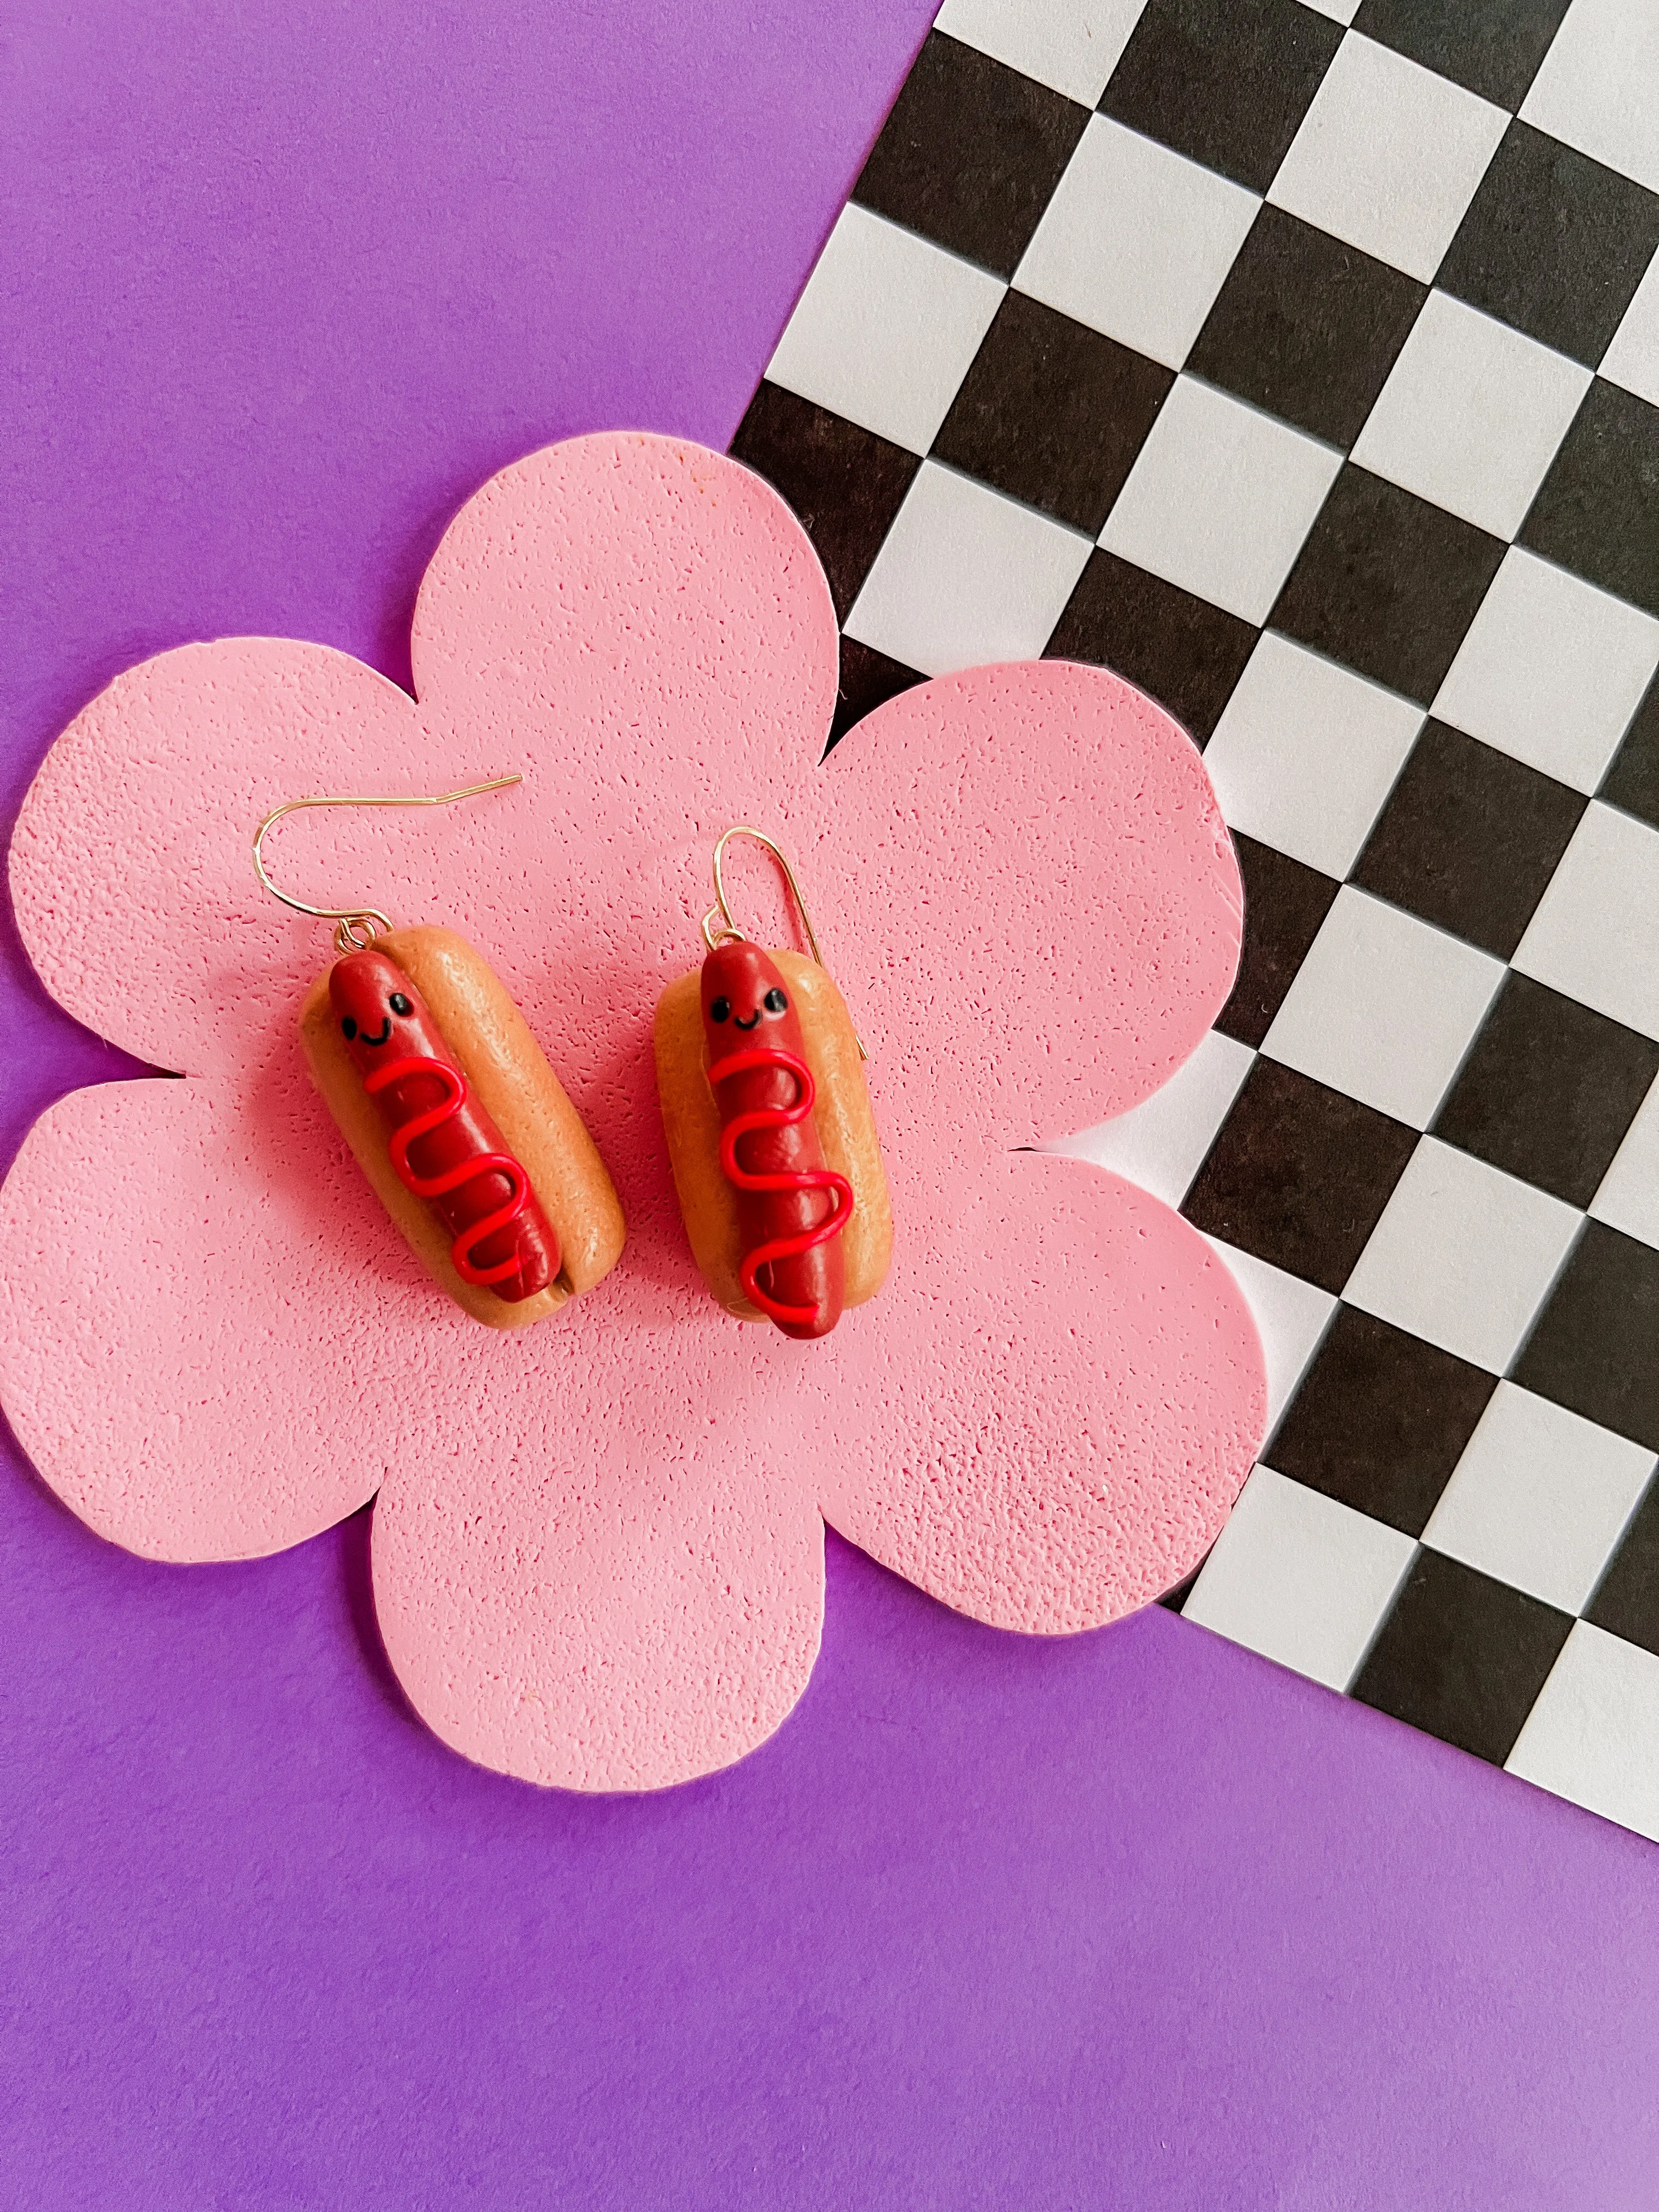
1550	1089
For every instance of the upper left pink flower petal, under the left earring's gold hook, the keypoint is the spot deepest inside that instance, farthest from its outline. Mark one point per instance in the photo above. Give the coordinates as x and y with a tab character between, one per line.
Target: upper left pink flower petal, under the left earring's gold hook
132	864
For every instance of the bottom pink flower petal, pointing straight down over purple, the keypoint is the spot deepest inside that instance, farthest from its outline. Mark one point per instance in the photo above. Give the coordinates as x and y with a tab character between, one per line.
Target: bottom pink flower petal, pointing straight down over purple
607	1585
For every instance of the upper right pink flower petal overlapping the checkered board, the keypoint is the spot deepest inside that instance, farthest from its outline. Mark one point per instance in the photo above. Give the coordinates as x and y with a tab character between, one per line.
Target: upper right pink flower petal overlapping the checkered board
1039	901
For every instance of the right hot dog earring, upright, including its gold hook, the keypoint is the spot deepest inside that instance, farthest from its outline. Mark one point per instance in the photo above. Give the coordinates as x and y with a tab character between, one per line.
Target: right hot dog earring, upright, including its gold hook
769	1127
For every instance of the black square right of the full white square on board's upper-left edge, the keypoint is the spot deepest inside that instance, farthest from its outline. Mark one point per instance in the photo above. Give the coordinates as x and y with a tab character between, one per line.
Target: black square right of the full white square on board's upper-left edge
1052	413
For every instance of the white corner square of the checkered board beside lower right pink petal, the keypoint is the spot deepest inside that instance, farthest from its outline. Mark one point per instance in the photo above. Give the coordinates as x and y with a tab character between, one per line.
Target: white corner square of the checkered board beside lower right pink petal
1300	1578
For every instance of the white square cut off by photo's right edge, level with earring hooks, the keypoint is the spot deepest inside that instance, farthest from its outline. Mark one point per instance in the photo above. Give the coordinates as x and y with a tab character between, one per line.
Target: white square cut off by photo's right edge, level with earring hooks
1596	932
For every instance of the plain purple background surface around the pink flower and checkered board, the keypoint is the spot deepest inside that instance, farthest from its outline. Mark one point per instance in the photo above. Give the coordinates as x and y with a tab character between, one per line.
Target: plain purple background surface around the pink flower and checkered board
1129	1921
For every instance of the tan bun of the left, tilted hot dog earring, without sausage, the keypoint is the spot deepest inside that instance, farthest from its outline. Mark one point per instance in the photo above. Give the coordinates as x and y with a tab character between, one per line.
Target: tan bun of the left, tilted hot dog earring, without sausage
517	1087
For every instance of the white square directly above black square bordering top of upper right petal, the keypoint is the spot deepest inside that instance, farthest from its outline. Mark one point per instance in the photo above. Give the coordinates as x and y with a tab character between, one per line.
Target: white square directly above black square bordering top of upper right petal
1220	499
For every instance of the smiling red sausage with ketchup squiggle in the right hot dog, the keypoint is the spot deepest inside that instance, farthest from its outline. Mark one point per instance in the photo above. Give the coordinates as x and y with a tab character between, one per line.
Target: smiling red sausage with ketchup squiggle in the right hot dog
789	1204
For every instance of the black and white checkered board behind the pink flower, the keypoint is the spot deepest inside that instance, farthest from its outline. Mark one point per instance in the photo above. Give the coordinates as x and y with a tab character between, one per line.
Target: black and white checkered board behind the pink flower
1302	364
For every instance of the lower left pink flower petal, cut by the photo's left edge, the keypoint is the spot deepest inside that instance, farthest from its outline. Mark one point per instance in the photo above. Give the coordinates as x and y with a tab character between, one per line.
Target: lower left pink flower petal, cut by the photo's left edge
185	1313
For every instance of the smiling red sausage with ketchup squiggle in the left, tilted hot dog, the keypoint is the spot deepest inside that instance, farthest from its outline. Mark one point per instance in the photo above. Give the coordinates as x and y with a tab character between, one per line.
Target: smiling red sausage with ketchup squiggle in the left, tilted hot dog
446	1149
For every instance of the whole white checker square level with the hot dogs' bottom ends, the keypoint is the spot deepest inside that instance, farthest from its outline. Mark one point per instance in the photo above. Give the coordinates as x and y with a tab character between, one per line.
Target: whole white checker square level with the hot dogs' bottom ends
1463	1255
